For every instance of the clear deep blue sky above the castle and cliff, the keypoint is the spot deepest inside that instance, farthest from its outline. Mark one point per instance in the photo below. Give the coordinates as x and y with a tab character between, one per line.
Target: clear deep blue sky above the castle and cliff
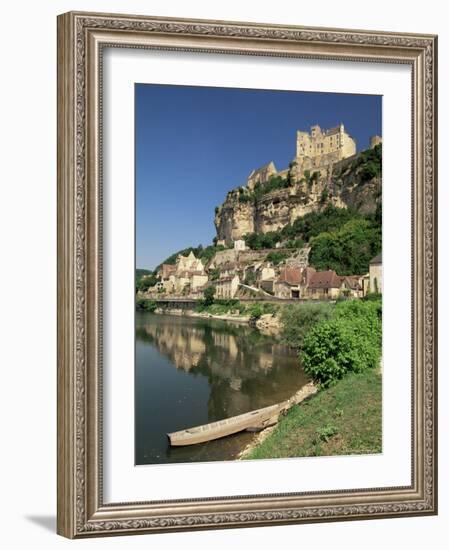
194	144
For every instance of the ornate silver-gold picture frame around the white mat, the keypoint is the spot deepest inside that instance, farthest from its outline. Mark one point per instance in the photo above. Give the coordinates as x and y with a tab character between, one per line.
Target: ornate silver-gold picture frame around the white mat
82	38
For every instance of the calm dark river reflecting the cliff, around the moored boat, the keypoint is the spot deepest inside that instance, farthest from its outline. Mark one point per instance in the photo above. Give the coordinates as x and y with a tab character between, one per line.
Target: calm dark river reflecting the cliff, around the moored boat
192	371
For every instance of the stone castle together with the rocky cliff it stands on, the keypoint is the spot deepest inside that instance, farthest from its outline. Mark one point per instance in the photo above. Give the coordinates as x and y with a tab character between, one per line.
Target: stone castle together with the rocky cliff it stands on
324	170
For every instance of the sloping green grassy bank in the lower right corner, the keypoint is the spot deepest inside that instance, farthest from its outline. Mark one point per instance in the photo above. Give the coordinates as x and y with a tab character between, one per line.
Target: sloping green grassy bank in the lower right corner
345	418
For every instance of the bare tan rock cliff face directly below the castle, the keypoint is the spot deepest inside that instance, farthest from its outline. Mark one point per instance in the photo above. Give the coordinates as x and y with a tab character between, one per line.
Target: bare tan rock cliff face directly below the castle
342	186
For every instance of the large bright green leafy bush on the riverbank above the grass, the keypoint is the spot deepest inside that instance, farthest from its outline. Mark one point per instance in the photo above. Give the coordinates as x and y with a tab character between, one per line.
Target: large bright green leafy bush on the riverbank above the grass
348	342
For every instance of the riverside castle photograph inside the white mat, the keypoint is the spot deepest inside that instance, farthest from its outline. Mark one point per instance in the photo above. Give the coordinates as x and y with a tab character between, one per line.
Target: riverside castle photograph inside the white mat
258	274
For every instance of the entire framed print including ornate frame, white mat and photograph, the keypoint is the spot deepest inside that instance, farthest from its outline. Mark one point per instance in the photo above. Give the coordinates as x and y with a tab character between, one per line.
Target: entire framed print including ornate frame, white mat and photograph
246	274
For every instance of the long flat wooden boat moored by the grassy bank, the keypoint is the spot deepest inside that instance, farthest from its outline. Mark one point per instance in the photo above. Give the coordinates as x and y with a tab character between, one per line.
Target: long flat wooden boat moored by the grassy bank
253	420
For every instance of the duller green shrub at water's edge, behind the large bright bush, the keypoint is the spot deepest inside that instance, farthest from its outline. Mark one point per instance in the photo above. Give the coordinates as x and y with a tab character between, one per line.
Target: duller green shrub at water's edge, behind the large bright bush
297	319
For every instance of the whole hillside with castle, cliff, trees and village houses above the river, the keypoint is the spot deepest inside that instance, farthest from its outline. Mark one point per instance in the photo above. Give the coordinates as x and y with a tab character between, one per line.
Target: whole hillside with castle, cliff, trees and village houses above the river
293	234
